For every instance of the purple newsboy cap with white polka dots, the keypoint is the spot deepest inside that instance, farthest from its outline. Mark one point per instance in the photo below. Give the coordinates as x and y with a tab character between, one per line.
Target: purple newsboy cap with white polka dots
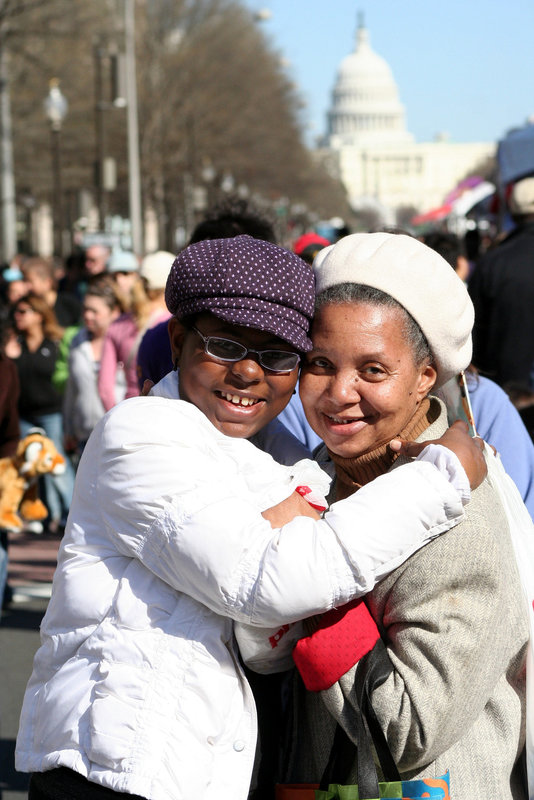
245	281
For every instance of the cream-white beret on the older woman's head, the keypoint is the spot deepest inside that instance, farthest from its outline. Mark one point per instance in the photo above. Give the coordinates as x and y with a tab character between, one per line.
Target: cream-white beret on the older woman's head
416	277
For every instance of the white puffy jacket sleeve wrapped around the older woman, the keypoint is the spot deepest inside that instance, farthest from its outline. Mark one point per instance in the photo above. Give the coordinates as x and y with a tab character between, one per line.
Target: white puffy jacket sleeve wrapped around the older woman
166	493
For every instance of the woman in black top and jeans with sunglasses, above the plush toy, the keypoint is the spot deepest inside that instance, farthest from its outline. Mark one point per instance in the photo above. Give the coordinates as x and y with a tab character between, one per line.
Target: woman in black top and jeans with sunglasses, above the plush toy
35	353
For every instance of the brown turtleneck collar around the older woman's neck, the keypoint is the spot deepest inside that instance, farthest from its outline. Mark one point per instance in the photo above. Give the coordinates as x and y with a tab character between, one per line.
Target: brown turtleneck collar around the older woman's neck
353	473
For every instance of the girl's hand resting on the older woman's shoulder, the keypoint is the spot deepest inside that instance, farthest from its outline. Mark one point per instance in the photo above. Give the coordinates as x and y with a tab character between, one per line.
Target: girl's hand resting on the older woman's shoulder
468	449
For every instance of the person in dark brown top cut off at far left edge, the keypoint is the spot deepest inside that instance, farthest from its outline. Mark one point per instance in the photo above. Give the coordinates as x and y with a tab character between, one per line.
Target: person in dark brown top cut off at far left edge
9	434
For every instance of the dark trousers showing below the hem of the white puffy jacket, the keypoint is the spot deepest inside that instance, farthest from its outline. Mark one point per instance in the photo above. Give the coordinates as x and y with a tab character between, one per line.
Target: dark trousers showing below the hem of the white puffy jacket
65	784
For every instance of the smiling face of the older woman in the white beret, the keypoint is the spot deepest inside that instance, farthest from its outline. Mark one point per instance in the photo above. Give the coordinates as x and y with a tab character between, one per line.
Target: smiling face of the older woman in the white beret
360	385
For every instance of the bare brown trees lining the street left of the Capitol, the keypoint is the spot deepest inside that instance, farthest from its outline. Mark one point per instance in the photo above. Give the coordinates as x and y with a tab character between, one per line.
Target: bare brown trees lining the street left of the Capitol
212	92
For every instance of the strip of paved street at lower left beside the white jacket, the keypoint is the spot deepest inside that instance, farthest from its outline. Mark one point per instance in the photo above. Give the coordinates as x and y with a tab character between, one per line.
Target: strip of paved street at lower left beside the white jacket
32	561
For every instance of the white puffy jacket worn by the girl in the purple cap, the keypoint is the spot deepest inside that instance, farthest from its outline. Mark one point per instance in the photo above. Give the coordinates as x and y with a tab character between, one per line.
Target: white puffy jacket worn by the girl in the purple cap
137	684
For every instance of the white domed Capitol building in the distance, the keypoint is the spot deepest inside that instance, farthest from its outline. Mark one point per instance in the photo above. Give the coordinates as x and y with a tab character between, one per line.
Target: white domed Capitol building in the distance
382	167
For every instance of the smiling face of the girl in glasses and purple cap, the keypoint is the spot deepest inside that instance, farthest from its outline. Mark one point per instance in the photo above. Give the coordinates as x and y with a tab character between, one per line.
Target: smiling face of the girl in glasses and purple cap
240	397
